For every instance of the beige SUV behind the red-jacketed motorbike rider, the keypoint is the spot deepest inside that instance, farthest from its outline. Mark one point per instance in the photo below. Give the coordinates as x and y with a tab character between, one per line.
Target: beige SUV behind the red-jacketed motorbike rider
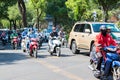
83	34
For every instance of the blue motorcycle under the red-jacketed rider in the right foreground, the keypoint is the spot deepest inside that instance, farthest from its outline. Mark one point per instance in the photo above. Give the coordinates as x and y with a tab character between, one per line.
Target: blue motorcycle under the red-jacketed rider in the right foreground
111	55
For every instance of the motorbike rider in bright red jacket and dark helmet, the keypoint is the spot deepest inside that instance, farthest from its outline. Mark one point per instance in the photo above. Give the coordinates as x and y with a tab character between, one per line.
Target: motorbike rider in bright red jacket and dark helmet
104	39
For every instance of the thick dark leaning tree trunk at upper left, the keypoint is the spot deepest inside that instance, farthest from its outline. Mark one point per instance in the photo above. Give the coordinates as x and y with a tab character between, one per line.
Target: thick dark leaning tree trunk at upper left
22	8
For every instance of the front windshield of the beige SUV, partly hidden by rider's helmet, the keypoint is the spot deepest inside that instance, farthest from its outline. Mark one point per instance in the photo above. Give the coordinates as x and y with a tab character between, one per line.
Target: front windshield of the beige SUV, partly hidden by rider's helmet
96	27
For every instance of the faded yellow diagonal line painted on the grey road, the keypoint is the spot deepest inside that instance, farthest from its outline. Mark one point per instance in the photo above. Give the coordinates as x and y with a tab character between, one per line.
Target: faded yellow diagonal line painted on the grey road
58	70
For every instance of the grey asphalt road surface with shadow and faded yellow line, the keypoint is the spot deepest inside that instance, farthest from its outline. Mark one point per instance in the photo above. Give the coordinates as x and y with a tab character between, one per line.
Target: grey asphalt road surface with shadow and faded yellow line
16	65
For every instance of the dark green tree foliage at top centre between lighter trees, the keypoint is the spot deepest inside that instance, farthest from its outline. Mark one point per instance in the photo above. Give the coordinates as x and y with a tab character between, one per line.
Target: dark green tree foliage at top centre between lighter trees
57	9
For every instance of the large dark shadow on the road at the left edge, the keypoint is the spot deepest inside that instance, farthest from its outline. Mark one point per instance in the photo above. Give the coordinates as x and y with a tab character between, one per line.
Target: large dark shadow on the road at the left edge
11	58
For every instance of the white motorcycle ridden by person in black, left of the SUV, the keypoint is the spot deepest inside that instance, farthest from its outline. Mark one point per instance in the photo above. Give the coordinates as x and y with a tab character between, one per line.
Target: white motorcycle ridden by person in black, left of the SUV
55	47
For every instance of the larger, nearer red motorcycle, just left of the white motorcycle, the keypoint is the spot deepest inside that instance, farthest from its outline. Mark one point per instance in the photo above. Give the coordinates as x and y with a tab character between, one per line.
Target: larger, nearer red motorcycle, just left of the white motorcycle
33	47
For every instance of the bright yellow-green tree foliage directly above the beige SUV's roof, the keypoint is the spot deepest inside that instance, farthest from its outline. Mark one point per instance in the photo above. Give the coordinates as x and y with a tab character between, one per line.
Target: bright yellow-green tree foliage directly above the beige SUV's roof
77	8
